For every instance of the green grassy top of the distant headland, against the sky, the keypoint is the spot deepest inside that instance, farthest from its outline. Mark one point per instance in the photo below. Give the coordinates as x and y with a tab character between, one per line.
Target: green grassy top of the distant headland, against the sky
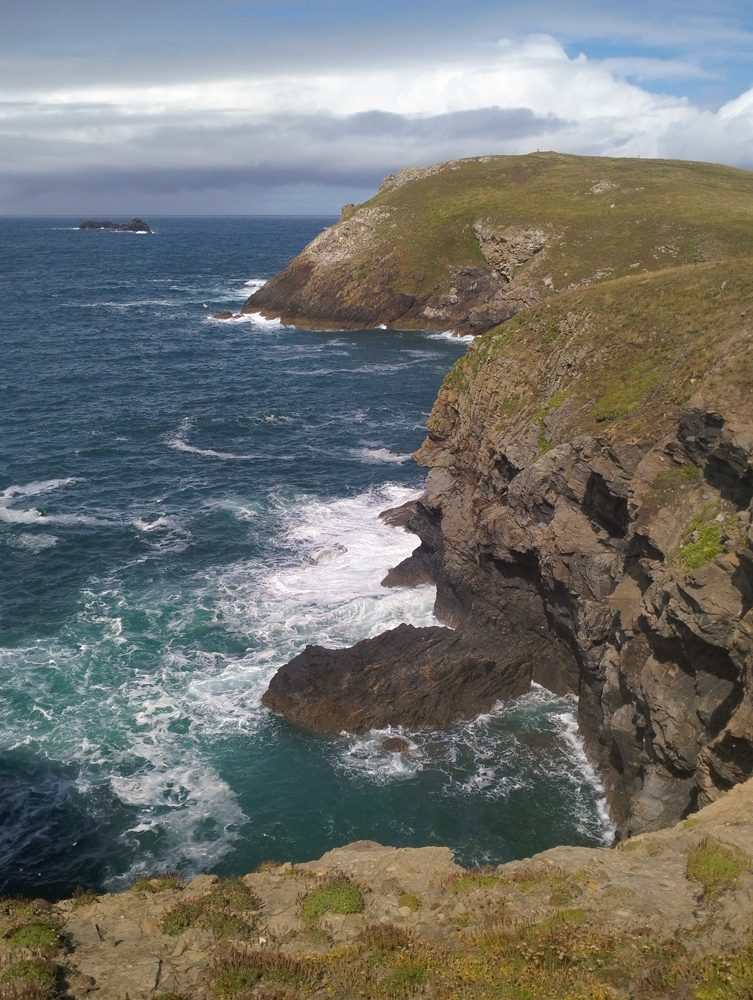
608	216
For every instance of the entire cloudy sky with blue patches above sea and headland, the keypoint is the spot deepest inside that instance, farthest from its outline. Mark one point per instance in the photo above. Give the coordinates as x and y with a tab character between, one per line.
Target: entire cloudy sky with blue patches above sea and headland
297	106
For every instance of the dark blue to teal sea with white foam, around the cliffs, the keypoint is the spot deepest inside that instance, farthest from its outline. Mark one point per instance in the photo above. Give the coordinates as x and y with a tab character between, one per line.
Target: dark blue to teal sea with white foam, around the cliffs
184	504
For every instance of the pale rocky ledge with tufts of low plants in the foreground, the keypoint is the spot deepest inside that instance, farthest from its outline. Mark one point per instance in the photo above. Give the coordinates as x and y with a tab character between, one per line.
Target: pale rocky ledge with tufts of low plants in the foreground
649	919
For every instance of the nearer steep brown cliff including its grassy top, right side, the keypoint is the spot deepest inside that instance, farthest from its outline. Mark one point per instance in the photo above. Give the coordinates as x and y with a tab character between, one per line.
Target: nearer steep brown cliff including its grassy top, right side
590	495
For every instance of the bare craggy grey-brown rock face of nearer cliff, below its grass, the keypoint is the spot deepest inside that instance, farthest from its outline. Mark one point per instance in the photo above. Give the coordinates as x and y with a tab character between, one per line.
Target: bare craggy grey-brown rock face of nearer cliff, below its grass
583	543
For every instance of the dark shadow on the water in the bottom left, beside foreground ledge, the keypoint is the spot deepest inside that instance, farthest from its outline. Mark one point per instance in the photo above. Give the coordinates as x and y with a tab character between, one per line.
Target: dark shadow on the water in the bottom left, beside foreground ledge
42	808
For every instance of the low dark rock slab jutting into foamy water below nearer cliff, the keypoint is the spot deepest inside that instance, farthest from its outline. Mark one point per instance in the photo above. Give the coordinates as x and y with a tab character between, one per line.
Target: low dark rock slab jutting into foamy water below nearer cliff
406	676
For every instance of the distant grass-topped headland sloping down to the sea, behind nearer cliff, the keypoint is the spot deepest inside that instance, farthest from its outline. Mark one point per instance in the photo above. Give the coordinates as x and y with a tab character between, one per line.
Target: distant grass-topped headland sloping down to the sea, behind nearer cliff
465	245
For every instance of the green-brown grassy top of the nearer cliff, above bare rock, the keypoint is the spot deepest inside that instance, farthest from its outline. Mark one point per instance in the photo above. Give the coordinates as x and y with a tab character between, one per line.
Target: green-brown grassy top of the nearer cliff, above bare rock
644	346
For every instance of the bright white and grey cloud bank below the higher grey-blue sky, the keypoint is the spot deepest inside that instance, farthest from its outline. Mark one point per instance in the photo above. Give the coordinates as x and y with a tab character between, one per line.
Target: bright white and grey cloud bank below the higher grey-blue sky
316	127
